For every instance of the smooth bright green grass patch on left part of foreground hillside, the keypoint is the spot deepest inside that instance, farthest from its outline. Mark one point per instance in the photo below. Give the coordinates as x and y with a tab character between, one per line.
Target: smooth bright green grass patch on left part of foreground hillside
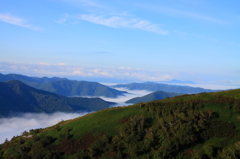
107	120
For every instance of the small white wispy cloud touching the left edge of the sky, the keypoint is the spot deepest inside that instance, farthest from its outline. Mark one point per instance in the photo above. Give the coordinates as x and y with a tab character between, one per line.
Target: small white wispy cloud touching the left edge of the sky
17	21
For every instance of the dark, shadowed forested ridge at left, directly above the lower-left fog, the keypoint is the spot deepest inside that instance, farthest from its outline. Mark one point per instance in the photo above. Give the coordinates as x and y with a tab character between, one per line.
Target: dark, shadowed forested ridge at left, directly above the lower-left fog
17	97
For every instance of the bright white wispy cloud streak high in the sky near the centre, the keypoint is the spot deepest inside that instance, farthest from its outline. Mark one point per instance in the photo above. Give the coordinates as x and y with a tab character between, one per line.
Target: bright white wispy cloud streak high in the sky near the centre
116	21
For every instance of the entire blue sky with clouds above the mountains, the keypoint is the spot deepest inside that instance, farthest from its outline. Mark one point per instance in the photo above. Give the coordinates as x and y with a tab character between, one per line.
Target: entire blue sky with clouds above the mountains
158	40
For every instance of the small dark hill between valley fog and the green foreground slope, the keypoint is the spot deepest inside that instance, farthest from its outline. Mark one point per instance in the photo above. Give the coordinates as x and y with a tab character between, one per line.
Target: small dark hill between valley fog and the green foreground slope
152	96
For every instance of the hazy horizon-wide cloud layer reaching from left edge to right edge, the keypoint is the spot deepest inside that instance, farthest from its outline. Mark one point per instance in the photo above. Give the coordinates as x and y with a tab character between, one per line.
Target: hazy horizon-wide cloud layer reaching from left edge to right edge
113	75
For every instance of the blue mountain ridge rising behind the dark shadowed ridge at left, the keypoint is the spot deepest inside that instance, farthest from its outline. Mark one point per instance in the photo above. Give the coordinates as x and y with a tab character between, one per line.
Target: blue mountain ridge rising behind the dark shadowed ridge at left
63	86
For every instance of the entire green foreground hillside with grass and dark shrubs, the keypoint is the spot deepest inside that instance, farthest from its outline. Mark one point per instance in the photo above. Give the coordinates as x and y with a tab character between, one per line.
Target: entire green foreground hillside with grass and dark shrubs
203	126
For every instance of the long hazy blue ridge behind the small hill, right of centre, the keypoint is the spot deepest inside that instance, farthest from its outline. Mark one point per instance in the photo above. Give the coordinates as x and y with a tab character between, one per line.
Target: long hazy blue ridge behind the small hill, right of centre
151	86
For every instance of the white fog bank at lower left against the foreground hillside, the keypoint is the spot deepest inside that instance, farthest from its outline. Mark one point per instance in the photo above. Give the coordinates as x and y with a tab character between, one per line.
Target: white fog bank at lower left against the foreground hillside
14	126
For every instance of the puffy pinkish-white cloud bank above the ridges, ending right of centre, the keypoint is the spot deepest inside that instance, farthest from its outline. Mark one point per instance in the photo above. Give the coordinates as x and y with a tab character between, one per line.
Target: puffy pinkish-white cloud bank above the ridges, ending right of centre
61	69
